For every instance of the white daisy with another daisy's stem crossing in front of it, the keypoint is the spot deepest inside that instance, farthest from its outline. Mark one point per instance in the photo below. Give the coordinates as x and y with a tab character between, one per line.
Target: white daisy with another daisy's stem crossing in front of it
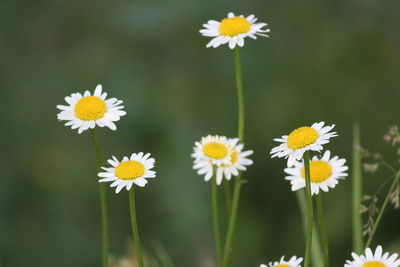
324	173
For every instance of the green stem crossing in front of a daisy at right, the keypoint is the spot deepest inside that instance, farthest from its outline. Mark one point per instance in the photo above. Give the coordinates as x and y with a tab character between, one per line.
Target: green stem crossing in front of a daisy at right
310	212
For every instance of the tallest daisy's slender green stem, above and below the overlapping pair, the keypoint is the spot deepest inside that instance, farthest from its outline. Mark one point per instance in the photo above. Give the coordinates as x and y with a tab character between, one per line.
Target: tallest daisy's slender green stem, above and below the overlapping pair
238	182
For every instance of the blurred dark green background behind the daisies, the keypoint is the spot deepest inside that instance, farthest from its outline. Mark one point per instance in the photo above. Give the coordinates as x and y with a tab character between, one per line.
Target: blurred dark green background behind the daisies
336	61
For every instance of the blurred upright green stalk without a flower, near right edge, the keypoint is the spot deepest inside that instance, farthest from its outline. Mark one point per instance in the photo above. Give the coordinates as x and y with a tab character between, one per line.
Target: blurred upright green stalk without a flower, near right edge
357	191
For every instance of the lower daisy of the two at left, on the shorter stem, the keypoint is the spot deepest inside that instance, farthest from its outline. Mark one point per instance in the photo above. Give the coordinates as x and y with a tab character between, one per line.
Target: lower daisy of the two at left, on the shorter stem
131	170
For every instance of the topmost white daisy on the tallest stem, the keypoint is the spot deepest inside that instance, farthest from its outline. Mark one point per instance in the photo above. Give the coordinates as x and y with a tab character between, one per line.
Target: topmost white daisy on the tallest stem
233	30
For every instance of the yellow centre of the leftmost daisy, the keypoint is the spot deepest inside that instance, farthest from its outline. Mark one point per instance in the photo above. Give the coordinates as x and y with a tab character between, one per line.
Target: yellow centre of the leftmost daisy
90	108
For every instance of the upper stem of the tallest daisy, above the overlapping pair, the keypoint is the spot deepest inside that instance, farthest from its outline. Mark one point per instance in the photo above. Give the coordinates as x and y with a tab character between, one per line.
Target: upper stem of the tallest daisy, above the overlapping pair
240	94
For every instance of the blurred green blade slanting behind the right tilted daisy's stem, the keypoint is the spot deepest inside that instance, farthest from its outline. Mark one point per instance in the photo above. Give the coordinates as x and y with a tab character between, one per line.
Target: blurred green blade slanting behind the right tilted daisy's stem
316	253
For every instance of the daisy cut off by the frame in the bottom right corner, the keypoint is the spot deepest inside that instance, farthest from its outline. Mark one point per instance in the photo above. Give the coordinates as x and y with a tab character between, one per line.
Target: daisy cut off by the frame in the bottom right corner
373	260
